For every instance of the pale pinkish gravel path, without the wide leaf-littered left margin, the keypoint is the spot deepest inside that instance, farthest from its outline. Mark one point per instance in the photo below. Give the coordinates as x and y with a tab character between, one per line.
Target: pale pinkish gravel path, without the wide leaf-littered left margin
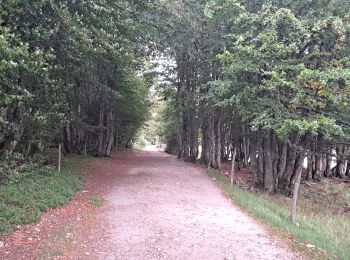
159	207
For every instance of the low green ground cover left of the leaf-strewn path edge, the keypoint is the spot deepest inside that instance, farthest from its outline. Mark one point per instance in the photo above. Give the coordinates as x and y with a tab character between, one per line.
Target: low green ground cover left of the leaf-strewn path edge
22	200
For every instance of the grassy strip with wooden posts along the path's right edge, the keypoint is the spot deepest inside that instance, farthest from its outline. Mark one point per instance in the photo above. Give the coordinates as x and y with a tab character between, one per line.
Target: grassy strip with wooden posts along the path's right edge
318	221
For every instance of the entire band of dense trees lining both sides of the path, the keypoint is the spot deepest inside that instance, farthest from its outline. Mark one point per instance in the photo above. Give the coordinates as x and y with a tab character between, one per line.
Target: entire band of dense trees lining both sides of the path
263	82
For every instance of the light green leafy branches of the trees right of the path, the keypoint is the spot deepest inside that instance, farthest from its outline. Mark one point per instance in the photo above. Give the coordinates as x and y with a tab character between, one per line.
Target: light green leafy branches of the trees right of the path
284	71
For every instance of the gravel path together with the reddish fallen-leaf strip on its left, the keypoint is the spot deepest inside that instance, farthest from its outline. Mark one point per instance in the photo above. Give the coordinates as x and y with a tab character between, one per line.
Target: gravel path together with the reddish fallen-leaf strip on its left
146	205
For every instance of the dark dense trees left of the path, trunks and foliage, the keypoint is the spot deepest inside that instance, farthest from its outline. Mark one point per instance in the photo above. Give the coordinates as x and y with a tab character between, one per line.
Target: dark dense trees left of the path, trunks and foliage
72	72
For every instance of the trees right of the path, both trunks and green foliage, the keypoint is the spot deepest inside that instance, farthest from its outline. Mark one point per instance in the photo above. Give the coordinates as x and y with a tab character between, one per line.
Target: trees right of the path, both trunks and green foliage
265	81
